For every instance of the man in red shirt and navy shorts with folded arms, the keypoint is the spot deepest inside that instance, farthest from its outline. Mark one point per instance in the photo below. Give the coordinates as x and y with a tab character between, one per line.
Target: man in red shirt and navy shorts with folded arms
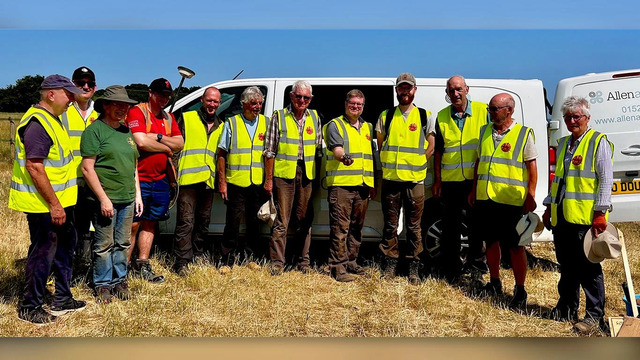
157	135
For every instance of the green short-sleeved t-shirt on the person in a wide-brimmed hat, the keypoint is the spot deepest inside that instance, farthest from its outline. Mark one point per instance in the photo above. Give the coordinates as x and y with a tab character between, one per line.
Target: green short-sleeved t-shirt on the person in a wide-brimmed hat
116	154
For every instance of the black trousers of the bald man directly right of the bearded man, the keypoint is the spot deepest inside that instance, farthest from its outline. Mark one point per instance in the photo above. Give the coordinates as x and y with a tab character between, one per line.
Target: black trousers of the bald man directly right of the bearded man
454	199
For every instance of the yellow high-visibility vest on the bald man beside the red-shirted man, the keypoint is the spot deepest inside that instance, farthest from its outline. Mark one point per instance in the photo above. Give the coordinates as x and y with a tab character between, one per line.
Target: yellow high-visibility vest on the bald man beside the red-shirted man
197	161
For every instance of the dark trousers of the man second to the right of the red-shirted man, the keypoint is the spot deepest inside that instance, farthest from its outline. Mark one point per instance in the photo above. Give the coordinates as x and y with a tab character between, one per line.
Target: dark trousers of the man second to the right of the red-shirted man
244	202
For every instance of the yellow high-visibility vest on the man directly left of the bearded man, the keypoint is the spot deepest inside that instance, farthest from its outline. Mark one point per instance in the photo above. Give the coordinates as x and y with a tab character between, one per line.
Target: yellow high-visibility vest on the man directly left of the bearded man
358	145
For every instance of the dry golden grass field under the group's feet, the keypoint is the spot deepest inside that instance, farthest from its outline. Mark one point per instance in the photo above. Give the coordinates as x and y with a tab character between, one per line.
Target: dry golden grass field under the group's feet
251	303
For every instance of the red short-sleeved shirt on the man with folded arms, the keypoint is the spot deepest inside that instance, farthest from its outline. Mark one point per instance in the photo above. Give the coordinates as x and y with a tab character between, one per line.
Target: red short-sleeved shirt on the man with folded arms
152	166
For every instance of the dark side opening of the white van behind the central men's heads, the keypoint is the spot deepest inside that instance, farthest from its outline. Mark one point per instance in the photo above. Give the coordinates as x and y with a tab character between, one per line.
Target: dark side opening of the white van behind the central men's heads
328	100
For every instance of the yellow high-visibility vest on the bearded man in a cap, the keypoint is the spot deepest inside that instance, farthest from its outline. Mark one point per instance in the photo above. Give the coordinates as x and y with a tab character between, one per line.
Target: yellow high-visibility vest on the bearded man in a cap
403	151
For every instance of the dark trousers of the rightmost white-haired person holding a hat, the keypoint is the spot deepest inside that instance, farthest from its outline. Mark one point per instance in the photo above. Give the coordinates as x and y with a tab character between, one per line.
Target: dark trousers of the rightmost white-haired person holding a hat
576	270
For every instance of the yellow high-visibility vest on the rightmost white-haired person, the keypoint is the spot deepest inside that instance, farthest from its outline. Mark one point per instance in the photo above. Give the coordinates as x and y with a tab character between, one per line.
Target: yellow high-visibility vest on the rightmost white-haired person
581	182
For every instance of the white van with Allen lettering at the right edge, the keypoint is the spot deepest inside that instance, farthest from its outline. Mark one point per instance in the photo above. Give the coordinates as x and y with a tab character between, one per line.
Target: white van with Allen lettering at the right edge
615	111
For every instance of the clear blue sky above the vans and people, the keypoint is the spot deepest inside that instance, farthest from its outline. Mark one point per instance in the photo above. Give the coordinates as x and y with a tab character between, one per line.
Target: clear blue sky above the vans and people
134	42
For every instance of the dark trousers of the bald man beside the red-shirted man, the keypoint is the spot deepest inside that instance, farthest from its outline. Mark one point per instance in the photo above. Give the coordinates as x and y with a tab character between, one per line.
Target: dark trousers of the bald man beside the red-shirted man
192	223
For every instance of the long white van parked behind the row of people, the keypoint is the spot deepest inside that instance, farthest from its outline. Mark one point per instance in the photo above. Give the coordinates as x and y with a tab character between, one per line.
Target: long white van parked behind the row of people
328	99
